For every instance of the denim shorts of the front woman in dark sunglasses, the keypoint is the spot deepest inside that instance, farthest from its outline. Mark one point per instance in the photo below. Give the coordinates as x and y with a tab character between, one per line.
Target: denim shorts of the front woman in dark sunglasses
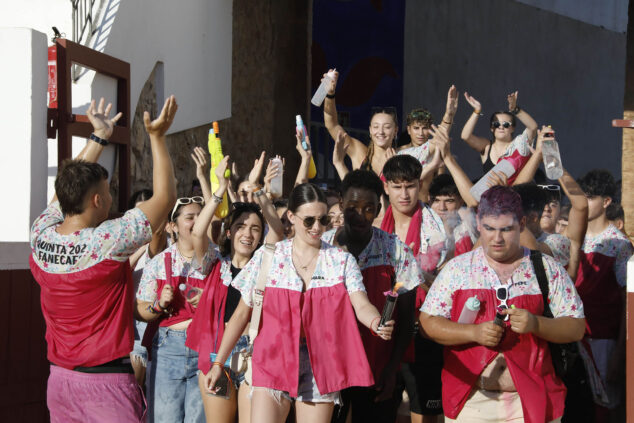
307	388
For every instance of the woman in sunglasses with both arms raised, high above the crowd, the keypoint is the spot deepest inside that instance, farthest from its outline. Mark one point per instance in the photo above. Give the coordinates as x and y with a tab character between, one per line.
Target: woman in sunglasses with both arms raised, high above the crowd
502	125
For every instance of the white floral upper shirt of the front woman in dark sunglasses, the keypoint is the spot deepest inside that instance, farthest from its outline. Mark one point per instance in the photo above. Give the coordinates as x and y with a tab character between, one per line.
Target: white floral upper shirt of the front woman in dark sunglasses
334	266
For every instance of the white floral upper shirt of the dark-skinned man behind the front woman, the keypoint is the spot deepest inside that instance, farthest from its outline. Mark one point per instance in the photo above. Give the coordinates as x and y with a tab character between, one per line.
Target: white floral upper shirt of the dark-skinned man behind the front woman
387	250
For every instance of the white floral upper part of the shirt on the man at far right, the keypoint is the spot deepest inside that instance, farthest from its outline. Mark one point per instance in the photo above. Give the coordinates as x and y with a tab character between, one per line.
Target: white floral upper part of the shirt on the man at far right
611	243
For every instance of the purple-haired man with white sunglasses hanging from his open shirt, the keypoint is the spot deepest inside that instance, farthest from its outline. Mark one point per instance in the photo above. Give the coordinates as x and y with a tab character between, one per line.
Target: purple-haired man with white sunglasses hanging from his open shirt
501	372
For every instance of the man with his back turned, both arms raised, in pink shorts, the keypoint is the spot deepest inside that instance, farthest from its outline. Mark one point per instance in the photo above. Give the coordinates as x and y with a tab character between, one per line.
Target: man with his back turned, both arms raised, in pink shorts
80	260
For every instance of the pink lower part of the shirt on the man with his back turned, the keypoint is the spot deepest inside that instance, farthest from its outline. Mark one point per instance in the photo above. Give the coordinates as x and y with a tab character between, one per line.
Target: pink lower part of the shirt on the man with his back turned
88	313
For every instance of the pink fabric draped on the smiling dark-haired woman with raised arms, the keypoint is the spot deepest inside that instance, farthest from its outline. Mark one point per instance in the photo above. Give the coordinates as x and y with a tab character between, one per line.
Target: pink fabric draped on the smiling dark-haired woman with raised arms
204	333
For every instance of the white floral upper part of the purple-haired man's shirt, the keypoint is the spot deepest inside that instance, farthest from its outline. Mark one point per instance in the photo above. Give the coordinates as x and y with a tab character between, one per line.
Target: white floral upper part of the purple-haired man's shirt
472	271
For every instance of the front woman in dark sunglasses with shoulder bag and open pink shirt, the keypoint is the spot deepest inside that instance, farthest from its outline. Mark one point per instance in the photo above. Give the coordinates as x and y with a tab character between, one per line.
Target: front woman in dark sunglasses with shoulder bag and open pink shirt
308	347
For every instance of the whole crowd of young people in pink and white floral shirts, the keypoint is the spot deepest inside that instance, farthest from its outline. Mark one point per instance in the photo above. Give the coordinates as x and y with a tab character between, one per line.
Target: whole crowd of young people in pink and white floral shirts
278	309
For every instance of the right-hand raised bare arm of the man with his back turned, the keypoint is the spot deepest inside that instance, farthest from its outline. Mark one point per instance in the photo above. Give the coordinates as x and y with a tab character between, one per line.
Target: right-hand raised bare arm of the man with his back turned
163	181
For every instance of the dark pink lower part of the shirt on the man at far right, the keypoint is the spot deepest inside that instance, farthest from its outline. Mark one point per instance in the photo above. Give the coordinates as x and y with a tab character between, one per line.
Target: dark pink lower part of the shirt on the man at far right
601	295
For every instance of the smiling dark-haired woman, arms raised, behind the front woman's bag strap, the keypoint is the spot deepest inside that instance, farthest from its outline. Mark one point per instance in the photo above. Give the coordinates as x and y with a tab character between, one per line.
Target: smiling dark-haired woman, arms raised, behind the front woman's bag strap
243	234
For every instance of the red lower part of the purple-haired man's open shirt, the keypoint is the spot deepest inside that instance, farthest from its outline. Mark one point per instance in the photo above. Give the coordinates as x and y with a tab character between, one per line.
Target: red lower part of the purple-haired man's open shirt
528	357
